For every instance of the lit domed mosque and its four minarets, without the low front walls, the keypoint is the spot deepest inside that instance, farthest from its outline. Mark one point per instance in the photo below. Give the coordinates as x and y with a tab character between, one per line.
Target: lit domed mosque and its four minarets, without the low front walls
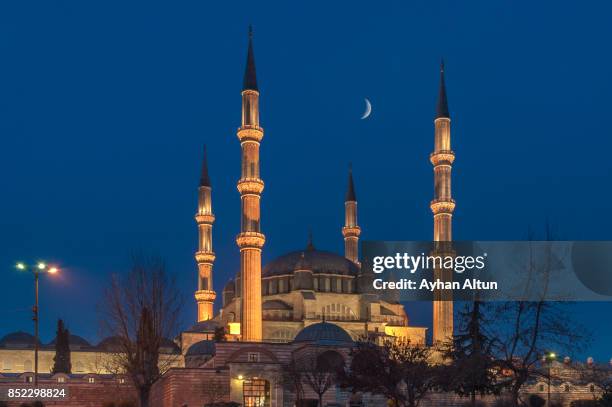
273	303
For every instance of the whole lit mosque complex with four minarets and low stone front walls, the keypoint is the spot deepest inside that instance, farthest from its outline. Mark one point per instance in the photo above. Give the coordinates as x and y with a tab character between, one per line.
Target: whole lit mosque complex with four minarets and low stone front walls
309	301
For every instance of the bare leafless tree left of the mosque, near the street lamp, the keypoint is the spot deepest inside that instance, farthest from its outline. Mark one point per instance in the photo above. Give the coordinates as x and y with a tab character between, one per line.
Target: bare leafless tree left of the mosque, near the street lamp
140	312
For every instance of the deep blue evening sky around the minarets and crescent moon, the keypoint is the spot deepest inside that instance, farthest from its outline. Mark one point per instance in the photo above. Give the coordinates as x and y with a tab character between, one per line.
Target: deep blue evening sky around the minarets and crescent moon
104	108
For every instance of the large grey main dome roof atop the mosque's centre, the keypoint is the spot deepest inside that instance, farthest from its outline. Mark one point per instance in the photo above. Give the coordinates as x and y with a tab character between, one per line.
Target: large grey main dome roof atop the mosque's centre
315	260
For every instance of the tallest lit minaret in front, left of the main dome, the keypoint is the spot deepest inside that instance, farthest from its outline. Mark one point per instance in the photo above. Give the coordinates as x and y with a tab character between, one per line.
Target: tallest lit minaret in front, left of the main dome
250	240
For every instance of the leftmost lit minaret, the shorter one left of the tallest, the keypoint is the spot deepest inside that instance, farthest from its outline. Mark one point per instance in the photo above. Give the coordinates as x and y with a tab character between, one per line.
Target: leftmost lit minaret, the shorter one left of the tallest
205	257
